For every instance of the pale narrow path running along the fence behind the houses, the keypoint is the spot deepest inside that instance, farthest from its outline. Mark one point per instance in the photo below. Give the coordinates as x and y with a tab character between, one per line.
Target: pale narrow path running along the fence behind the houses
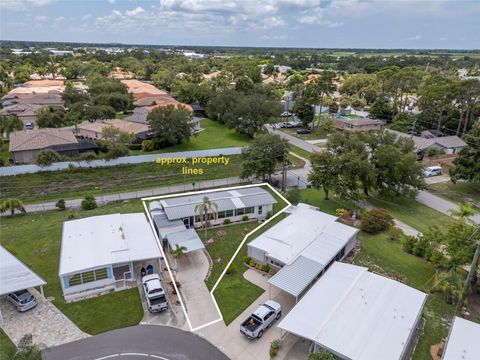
103	199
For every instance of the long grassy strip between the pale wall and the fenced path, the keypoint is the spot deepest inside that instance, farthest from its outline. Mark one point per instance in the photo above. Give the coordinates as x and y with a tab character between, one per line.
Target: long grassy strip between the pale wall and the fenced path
77	183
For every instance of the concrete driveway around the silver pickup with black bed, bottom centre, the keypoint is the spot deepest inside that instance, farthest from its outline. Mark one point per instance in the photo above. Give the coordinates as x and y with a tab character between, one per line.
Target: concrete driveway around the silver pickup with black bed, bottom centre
237	346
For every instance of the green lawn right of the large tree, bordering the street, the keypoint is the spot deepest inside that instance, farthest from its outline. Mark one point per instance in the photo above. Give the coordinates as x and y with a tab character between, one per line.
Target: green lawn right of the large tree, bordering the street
411	212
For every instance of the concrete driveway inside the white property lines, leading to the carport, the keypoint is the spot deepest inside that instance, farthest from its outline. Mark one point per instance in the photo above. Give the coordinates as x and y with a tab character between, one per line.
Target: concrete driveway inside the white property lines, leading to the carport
192	270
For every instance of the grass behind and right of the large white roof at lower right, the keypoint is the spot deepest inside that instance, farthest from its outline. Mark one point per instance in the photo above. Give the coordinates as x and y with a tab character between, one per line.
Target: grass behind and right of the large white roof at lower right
387	257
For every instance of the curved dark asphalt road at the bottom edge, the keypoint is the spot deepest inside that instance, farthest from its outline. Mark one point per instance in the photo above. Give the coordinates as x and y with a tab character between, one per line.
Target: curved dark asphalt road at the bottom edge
138	343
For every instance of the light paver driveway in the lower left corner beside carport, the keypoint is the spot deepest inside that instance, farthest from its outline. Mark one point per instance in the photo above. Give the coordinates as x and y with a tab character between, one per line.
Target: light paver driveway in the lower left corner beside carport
48	325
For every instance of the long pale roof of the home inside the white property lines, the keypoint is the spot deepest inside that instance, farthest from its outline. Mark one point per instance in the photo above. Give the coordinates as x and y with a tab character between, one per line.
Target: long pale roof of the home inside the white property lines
184	206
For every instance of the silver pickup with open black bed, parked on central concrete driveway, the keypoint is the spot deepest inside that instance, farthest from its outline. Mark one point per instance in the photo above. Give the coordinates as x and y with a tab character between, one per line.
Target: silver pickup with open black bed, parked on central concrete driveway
261	319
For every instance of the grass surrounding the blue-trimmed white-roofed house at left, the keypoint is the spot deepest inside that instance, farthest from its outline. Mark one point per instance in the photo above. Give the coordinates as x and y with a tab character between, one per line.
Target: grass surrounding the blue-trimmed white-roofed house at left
35	239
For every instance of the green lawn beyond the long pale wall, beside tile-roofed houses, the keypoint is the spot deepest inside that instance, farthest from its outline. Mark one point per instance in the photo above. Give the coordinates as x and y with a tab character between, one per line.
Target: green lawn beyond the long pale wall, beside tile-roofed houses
214	136
